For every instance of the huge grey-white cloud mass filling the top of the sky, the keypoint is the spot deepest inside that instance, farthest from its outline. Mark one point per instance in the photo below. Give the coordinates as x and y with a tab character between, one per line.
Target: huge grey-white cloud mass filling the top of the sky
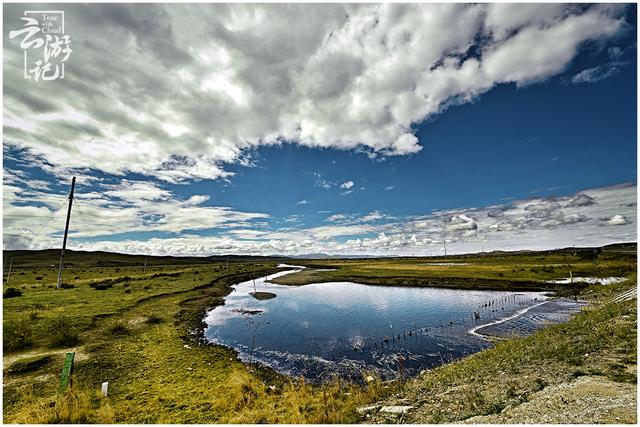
186	90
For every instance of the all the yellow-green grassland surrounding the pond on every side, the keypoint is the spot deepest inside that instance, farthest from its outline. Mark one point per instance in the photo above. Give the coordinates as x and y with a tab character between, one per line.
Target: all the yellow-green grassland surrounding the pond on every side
138	328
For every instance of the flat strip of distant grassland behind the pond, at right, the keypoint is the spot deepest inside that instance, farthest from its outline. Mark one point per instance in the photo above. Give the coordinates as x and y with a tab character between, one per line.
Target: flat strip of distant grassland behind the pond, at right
502	271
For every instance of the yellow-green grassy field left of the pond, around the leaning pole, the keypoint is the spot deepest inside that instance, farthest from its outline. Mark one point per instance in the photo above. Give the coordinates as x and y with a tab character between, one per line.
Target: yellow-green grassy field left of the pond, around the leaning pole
137	334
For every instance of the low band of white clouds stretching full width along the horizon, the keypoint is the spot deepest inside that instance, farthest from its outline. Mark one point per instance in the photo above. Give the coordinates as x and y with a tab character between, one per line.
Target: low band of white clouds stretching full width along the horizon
541	223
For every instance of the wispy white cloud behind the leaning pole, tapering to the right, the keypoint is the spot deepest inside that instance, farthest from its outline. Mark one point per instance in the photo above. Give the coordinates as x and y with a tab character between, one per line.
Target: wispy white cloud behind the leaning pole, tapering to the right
111	209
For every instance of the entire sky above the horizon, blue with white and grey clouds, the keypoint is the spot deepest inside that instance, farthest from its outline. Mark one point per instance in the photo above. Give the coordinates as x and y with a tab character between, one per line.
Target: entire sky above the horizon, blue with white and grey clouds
325	129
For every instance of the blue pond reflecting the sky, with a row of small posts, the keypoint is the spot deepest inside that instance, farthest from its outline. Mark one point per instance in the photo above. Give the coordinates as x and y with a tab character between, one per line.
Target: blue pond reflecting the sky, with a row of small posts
342	328
